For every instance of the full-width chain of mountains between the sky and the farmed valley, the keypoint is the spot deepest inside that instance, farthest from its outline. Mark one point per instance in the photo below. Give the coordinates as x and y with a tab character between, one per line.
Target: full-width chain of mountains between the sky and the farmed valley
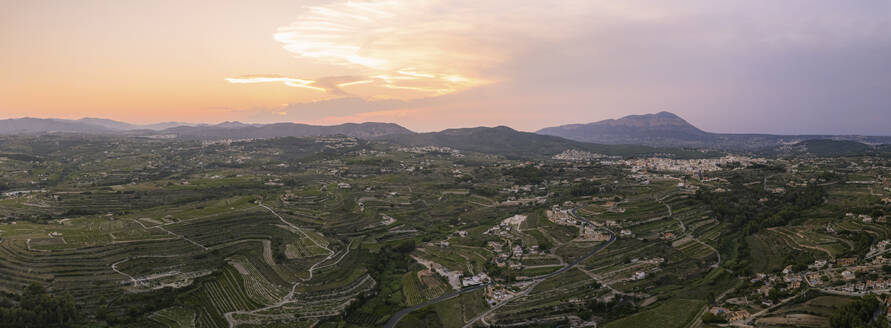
662	129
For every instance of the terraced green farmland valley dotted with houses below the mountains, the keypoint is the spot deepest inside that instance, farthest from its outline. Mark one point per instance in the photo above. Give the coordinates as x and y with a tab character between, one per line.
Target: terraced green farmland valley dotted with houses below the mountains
343	232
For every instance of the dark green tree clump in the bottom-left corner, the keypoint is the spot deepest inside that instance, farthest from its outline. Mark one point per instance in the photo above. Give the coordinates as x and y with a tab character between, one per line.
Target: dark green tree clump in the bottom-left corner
37	308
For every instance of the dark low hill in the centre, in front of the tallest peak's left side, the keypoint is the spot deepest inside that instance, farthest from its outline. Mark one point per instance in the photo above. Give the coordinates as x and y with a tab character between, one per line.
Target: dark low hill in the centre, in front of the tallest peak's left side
502	140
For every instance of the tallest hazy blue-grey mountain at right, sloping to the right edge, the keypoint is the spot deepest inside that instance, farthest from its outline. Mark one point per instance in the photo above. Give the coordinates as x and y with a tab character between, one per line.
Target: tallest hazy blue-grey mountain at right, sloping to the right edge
665	129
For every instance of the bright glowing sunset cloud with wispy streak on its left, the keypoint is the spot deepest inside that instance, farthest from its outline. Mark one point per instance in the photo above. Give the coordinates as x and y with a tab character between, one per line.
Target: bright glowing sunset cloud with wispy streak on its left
393	49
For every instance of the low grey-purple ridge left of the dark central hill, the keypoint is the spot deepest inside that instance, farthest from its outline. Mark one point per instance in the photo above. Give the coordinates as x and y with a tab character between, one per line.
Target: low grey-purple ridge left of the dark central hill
236	130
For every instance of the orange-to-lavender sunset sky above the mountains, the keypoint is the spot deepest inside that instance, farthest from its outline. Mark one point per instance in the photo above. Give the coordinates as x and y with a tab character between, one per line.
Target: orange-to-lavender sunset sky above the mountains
785	67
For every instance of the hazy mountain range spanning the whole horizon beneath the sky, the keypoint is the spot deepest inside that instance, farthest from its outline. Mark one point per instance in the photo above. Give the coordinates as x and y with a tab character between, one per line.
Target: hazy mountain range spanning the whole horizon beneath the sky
662	130
